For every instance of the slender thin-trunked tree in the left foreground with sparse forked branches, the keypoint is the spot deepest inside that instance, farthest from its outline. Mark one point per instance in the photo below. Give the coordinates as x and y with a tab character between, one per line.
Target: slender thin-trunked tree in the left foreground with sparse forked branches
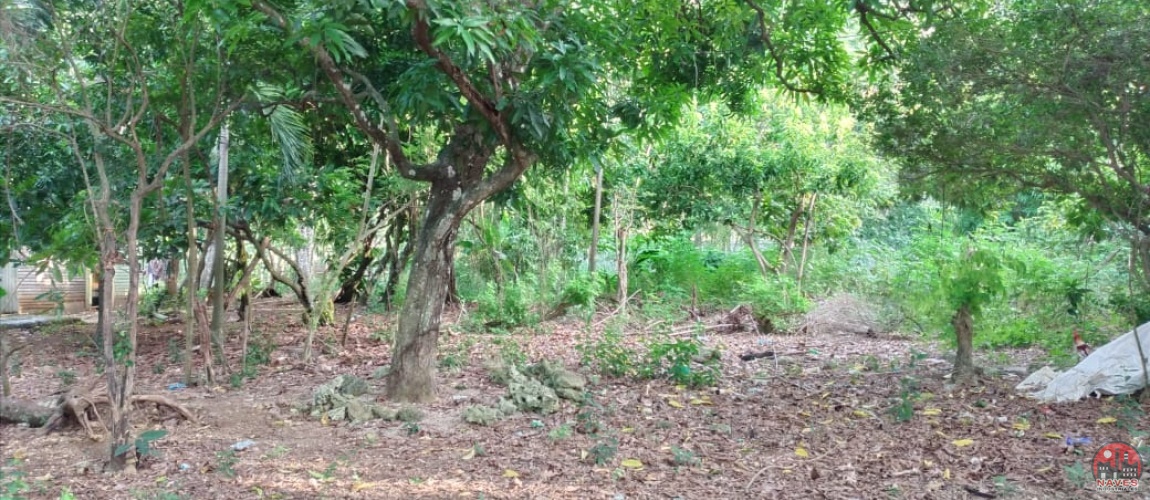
95	75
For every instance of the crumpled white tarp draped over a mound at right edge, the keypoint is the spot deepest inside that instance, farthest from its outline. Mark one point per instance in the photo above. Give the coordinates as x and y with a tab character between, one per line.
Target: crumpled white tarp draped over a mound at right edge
1111	370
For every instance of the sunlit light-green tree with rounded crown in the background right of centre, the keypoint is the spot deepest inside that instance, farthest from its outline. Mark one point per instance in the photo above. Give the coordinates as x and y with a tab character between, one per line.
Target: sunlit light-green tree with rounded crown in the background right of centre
765	174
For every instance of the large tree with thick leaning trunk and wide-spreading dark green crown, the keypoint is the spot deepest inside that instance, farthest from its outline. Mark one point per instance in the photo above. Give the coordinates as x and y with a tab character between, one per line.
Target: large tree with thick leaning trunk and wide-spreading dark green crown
502	87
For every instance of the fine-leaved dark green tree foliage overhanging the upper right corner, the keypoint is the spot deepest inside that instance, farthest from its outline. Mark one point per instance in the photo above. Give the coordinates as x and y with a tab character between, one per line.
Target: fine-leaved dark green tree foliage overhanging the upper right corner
1030	96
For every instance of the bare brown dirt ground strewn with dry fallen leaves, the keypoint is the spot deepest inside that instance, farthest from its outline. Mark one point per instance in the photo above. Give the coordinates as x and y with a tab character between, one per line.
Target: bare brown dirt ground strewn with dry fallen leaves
823	422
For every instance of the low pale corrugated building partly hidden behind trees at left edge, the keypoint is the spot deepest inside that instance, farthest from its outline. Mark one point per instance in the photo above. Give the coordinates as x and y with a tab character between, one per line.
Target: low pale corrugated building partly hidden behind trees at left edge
35	289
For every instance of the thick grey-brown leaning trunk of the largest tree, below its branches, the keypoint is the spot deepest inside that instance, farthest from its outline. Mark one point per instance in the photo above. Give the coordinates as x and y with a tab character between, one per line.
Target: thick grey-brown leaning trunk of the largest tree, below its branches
415	356
